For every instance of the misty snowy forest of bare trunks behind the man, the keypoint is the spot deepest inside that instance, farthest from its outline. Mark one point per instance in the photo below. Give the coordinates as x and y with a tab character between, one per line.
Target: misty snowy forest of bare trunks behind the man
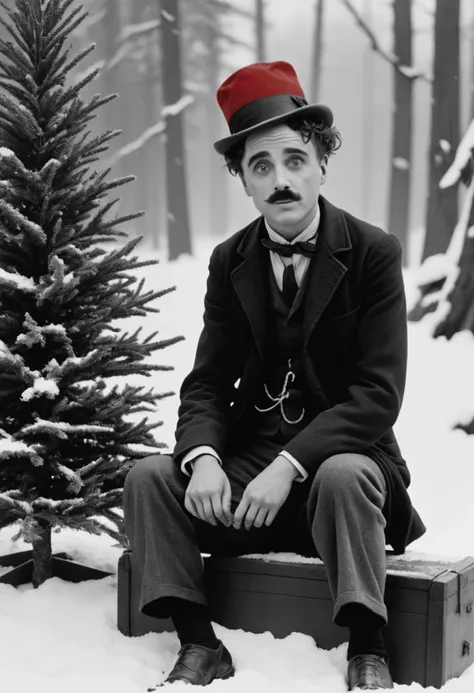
398	75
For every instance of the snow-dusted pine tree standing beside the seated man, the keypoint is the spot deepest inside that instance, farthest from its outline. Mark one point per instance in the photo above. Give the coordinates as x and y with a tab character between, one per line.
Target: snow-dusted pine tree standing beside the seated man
66	443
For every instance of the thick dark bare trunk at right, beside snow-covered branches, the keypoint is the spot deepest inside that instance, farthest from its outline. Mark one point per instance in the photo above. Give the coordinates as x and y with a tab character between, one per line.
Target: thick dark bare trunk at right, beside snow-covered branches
442	209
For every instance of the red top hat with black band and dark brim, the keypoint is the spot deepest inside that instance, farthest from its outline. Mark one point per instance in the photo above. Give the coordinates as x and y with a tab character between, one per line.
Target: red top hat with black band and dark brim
260	95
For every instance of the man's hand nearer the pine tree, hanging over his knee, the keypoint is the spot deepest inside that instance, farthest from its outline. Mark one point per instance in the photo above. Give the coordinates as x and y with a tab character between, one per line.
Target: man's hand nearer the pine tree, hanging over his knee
208	494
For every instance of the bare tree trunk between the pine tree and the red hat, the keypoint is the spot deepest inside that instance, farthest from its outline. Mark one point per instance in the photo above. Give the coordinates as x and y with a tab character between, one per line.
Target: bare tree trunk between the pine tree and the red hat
177	223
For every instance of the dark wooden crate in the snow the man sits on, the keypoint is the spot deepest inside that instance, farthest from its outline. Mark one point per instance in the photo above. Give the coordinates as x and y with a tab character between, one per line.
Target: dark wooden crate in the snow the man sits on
430	603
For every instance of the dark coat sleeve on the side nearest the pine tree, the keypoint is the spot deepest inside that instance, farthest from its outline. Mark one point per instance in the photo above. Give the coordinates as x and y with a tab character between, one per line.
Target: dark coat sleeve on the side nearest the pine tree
208	390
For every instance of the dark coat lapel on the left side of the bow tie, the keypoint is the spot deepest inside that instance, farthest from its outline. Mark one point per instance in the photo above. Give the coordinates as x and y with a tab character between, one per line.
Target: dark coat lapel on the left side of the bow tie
250	281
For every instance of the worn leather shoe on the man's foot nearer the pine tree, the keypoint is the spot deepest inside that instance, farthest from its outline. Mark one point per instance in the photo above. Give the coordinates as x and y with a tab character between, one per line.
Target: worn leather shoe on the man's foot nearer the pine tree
199	665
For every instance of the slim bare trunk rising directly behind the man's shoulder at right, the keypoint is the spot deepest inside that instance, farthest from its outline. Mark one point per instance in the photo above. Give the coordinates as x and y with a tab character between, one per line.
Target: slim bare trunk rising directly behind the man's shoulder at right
400	171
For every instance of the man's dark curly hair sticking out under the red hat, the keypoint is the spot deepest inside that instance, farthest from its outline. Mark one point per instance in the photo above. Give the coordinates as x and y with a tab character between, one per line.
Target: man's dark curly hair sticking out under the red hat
327	141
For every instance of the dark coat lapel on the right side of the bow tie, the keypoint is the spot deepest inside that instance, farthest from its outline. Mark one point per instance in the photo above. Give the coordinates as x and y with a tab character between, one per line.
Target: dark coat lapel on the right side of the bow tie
326	270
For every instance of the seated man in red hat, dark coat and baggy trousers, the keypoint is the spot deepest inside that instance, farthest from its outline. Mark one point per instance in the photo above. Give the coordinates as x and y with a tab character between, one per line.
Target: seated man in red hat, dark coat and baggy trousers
285	423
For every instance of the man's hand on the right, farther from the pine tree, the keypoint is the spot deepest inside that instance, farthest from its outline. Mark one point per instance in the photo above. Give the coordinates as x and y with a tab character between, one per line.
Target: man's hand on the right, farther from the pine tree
264	495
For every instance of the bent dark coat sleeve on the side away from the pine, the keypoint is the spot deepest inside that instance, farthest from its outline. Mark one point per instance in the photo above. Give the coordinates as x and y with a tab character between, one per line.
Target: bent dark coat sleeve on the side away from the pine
376	391
